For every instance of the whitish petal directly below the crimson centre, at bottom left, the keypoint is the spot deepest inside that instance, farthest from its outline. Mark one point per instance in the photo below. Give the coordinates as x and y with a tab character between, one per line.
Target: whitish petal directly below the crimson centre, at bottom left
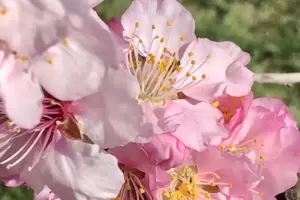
75	170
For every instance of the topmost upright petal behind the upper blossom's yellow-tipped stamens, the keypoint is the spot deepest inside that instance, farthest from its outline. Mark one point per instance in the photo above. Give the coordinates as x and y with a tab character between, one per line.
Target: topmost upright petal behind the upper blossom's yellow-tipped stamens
159	13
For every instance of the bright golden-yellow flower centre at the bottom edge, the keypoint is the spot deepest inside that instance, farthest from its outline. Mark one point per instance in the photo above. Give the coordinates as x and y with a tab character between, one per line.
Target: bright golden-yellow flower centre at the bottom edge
189	184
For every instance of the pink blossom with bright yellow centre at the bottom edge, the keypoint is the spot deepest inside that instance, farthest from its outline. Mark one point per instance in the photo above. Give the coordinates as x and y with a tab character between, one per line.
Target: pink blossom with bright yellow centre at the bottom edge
209	174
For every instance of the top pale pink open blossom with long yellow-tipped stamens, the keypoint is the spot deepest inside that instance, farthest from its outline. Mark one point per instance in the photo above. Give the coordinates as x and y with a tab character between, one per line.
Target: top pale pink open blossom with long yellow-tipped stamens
160	81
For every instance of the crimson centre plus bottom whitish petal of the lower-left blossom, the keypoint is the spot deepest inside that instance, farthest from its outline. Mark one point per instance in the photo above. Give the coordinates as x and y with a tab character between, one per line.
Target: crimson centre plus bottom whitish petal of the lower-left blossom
49	155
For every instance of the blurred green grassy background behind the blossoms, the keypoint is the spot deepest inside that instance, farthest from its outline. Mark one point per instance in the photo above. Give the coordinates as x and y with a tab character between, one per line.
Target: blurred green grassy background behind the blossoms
269	30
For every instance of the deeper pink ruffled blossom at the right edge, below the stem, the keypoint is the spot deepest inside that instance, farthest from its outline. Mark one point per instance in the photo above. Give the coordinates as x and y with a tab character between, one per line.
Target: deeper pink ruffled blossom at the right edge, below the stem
269	137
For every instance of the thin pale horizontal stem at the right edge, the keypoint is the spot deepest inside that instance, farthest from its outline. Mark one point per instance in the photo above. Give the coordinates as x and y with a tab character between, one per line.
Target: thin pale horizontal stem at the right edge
279	78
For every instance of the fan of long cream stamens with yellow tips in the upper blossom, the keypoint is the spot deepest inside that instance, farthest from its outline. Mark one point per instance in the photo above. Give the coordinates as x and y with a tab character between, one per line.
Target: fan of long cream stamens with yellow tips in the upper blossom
160	71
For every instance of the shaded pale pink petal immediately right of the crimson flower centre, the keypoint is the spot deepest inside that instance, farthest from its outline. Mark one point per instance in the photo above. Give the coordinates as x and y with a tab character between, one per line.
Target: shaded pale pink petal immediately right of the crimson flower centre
112	116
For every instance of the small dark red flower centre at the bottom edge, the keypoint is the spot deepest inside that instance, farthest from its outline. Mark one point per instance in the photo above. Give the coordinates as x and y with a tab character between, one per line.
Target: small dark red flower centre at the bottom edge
133	188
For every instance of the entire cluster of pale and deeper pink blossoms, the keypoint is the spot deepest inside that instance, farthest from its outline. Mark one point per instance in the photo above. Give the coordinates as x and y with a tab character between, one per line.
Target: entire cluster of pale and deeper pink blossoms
135	109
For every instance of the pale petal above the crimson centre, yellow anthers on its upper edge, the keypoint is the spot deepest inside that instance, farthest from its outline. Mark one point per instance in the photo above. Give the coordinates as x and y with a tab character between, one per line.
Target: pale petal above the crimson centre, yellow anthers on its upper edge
75	67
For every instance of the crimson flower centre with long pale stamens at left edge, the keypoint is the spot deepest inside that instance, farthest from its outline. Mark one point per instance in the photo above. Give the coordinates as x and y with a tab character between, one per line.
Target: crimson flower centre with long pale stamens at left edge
55	121
